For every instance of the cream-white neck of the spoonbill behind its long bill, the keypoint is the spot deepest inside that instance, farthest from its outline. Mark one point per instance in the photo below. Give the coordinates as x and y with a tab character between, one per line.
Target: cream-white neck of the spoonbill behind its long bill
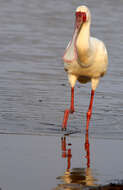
83	42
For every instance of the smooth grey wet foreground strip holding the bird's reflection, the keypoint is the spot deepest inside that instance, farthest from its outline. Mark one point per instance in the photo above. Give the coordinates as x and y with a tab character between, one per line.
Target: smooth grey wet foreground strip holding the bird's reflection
58	162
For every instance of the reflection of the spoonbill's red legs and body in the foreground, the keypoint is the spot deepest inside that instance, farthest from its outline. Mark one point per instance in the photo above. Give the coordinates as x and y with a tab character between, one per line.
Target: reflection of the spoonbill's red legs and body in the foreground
75	178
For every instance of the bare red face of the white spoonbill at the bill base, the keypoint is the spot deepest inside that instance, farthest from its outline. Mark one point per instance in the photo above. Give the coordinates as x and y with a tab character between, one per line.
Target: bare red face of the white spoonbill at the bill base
80	19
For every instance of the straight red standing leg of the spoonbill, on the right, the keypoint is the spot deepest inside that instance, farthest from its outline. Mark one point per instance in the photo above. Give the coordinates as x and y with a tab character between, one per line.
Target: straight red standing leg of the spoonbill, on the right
90	110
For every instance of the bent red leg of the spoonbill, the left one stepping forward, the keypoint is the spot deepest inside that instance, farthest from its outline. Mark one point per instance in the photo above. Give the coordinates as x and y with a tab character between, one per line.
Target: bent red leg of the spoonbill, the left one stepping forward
67	111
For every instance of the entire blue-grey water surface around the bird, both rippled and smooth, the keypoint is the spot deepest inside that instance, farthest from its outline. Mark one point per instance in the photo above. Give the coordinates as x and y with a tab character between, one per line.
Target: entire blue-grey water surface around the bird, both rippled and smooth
34	92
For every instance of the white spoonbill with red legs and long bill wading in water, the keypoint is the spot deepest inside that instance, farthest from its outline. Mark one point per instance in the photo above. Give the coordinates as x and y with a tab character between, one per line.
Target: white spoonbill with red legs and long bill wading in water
85	59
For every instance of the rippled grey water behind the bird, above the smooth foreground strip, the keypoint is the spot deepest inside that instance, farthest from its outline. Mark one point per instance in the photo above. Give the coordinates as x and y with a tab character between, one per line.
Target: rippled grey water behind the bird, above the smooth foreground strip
34	89
